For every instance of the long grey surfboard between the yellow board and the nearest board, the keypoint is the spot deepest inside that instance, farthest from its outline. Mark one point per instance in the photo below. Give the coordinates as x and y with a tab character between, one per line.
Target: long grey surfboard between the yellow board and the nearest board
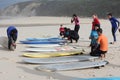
58	59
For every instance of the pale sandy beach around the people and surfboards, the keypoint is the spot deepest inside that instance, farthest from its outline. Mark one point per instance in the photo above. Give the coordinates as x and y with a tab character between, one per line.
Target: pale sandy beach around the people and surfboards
12	67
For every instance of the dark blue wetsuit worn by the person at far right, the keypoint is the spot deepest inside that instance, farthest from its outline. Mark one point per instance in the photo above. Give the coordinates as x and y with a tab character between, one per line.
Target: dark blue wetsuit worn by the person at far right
115	26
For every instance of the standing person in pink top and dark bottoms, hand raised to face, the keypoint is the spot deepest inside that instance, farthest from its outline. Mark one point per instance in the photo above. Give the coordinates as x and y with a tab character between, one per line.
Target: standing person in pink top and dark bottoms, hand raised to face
75	19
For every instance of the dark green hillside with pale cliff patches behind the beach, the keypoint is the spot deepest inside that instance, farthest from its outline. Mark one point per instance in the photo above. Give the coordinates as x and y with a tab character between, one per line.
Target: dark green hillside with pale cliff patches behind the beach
83	8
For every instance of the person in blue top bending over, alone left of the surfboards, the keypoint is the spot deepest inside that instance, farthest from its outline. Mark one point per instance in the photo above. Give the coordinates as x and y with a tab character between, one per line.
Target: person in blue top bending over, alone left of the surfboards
12	34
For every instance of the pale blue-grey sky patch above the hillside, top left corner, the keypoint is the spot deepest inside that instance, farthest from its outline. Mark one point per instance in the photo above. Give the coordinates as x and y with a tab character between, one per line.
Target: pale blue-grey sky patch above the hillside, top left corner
5	3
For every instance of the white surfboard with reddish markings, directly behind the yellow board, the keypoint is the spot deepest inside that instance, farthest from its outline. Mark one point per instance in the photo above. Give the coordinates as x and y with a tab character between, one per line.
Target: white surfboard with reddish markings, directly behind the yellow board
54	49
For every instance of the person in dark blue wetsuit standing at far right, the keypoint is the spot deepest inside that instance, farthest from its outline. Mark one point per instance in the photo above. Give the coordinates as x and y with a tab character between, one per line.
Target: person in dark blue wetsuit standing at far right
115	24
